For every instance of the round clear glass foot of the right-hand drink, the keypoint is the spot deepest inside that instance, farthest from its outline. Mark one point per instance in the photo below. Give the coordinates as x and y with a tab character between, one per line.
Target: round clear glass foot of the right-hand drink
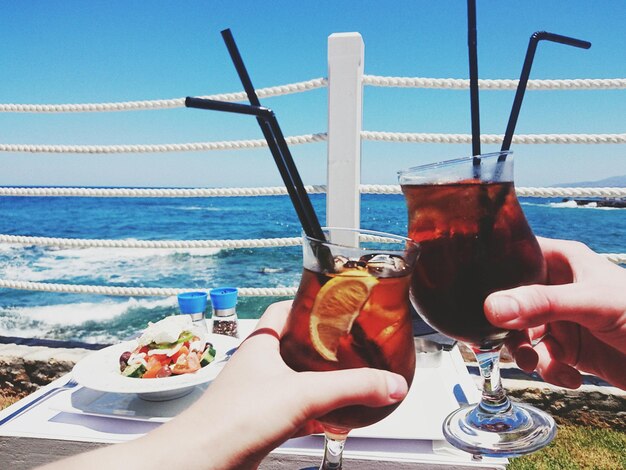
520	430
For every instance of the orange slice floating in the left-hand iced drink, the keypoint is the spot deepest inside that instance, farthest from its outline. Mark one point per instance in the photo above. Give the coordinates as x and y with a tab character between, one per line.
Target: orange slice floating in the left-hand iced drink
336	306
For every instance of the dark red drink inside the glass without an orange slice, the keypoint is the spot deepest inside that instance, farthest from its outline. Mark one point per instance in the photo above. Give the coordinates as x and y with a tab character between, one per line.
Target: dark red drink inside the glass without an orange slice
474	240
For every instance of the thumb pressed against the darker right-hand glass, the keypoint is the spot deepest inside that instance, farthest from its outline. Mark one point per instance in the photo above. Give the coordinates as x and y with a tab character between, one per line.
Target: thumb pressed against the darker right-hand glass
588	305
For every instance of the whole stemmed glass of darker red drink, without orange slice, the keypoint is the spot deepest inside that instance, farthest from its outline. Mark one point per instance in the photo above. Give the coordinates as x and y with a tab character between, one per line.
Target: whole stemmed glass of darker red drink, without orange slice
475	240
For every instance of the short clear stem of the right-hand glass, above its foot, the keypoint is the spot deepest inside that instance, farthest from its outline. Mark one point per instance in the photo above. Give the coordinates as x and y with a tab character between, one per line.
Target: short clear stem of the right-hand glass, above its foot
494	399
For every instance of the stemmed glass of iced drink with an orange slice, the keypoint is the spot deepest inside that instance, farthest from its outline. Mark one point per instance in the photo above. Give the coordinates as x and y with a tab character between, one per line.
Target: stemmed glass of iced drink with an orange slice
352	310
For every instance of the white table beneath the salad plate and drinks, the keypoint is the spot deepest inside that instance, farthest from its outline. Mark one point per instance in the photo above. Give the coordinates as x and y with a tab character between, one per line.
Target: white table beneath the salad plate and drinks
80	419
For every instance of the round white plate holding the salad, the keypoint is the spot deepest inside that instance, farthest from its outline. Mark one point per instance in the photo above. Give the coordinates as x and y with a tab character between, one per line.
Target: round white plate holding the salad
101	371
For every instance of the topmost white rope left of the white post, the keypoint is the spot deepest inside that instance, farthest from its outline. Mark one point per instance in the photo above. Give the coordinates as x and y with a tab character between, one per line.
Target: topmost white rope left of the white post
160	104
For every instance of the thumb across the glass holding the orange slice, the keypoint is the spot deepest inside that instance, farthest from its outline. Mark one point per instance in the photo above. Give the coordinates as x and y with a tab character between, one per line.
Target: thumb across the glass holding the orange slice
326	391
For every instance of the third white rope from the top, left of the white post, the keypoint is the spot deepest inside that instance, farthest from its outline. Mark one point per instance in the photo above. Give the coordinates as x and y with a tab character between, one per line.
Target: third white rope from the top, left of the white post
155	192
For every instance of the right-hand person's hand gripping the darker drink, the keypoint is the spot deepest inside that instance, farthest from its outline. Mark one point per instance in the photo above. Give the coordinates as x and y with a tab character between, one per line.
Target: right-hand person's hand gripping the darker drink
577	322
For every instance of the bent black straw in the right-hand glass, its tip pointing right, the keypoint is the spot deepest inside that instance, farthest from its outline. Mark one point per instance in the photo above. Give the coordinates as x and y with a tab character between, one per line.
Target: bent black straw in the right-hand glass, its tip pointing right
523	81
